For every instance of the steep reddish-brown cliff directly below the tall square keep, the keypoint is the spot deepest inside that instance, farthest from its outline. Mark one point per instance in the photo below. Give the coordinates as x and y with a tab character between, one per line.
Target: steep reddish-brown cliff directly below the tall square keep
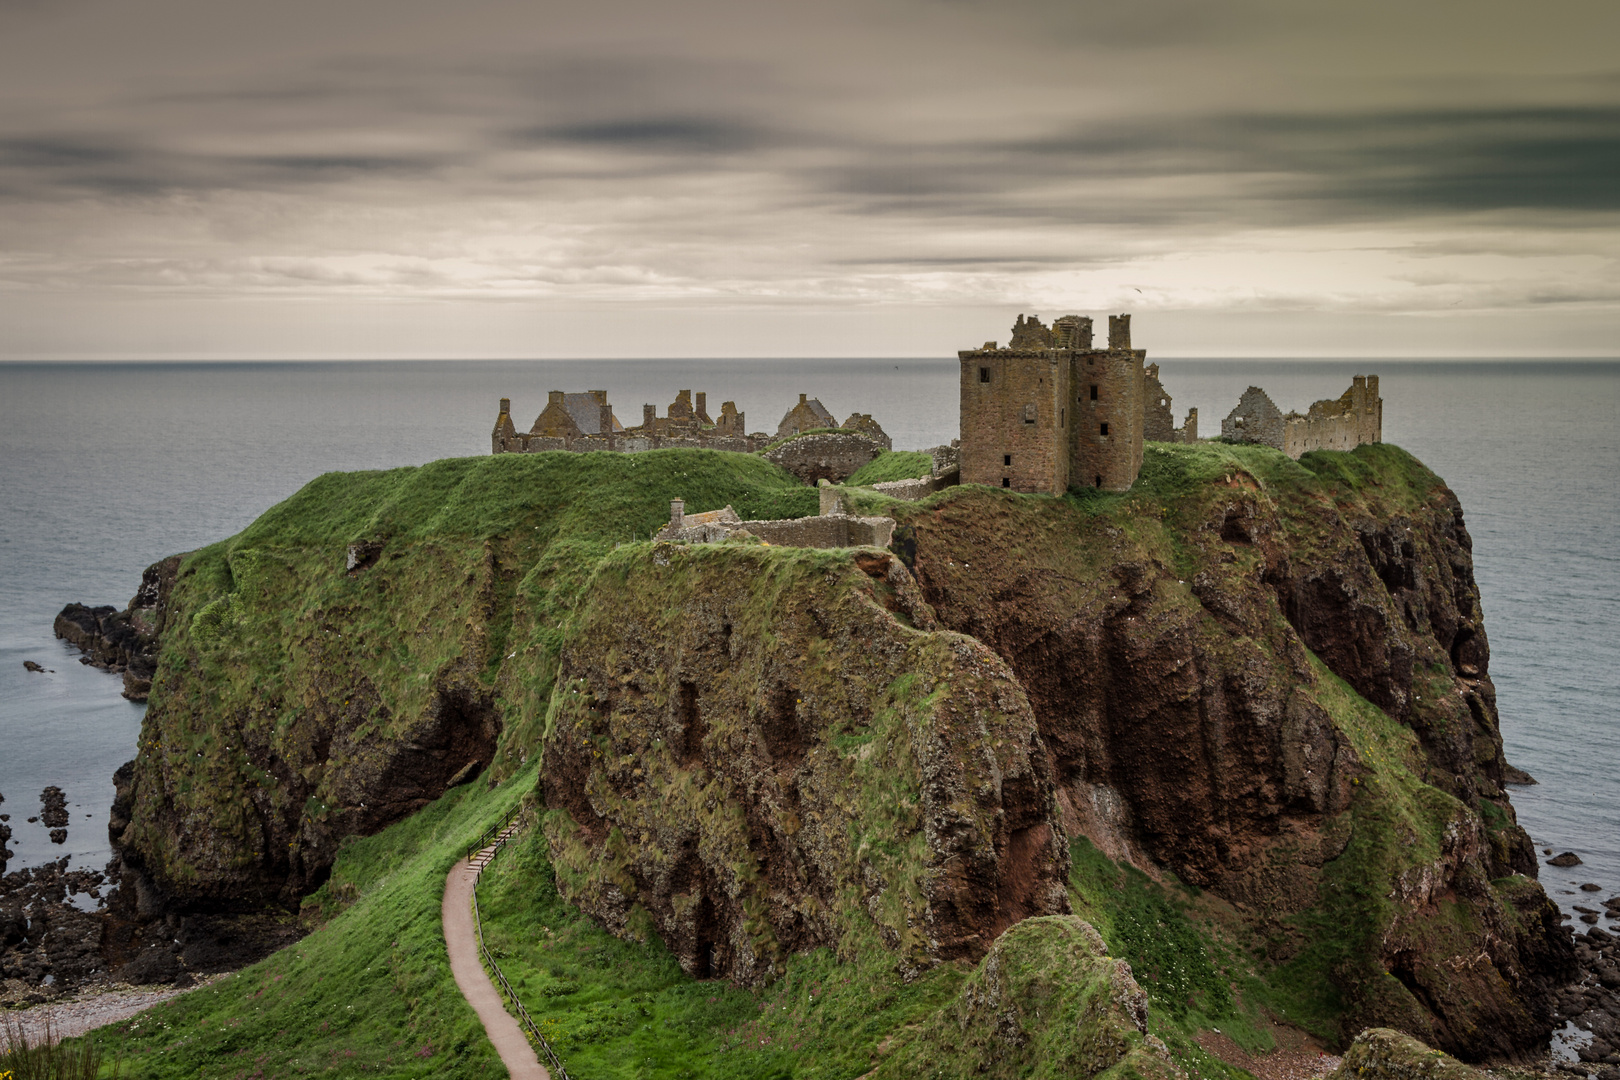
1183	650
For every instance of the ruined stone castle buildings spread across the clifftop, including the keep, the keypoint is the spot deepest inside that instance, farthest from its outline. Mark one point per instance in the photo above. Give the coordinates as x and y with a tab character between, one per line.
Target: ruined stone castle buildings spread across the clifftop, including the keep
1041	415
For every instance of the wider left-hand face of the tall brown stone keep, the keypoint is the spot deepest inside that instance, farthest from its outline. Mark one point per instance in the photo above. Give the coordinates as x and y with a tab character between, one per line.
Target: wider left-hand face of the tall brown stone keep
1015	420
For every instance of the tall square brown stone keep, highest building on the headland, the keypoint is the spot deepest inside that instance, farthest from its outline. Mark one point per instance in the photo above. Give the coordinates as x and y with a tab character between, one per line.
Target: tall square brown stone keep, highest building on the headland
1051	412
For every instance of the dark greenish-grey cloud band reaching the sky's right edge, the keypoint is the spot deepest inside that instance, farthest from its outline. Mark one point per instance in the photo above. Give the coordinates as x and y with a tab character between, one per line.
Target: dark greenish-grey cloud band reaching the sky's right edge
1260	168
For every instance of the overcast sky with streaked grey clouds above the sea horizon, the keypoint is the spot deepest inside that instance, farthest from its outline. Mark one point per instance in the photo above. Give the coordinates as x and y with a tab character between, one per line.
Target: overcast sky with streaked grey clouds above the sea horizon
749	179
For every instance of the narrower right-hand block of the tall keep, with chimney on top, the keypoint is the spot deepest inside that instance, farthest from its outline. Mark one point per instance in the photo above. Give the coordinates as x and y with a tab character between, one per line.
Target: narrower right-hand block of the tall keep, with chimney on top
1107	433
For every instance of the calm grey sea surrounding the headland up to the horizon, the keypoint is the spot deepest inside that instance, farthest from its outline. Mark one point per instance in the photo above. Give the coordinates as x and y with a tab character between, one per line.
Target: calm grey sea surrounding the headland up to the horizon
106	469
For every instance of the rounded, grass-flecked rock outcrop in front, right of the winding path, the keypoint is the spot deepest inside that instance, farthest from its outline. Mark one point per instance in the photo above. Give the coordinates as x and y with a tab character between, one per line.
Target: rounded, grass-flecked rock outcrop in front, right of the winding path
775	750
